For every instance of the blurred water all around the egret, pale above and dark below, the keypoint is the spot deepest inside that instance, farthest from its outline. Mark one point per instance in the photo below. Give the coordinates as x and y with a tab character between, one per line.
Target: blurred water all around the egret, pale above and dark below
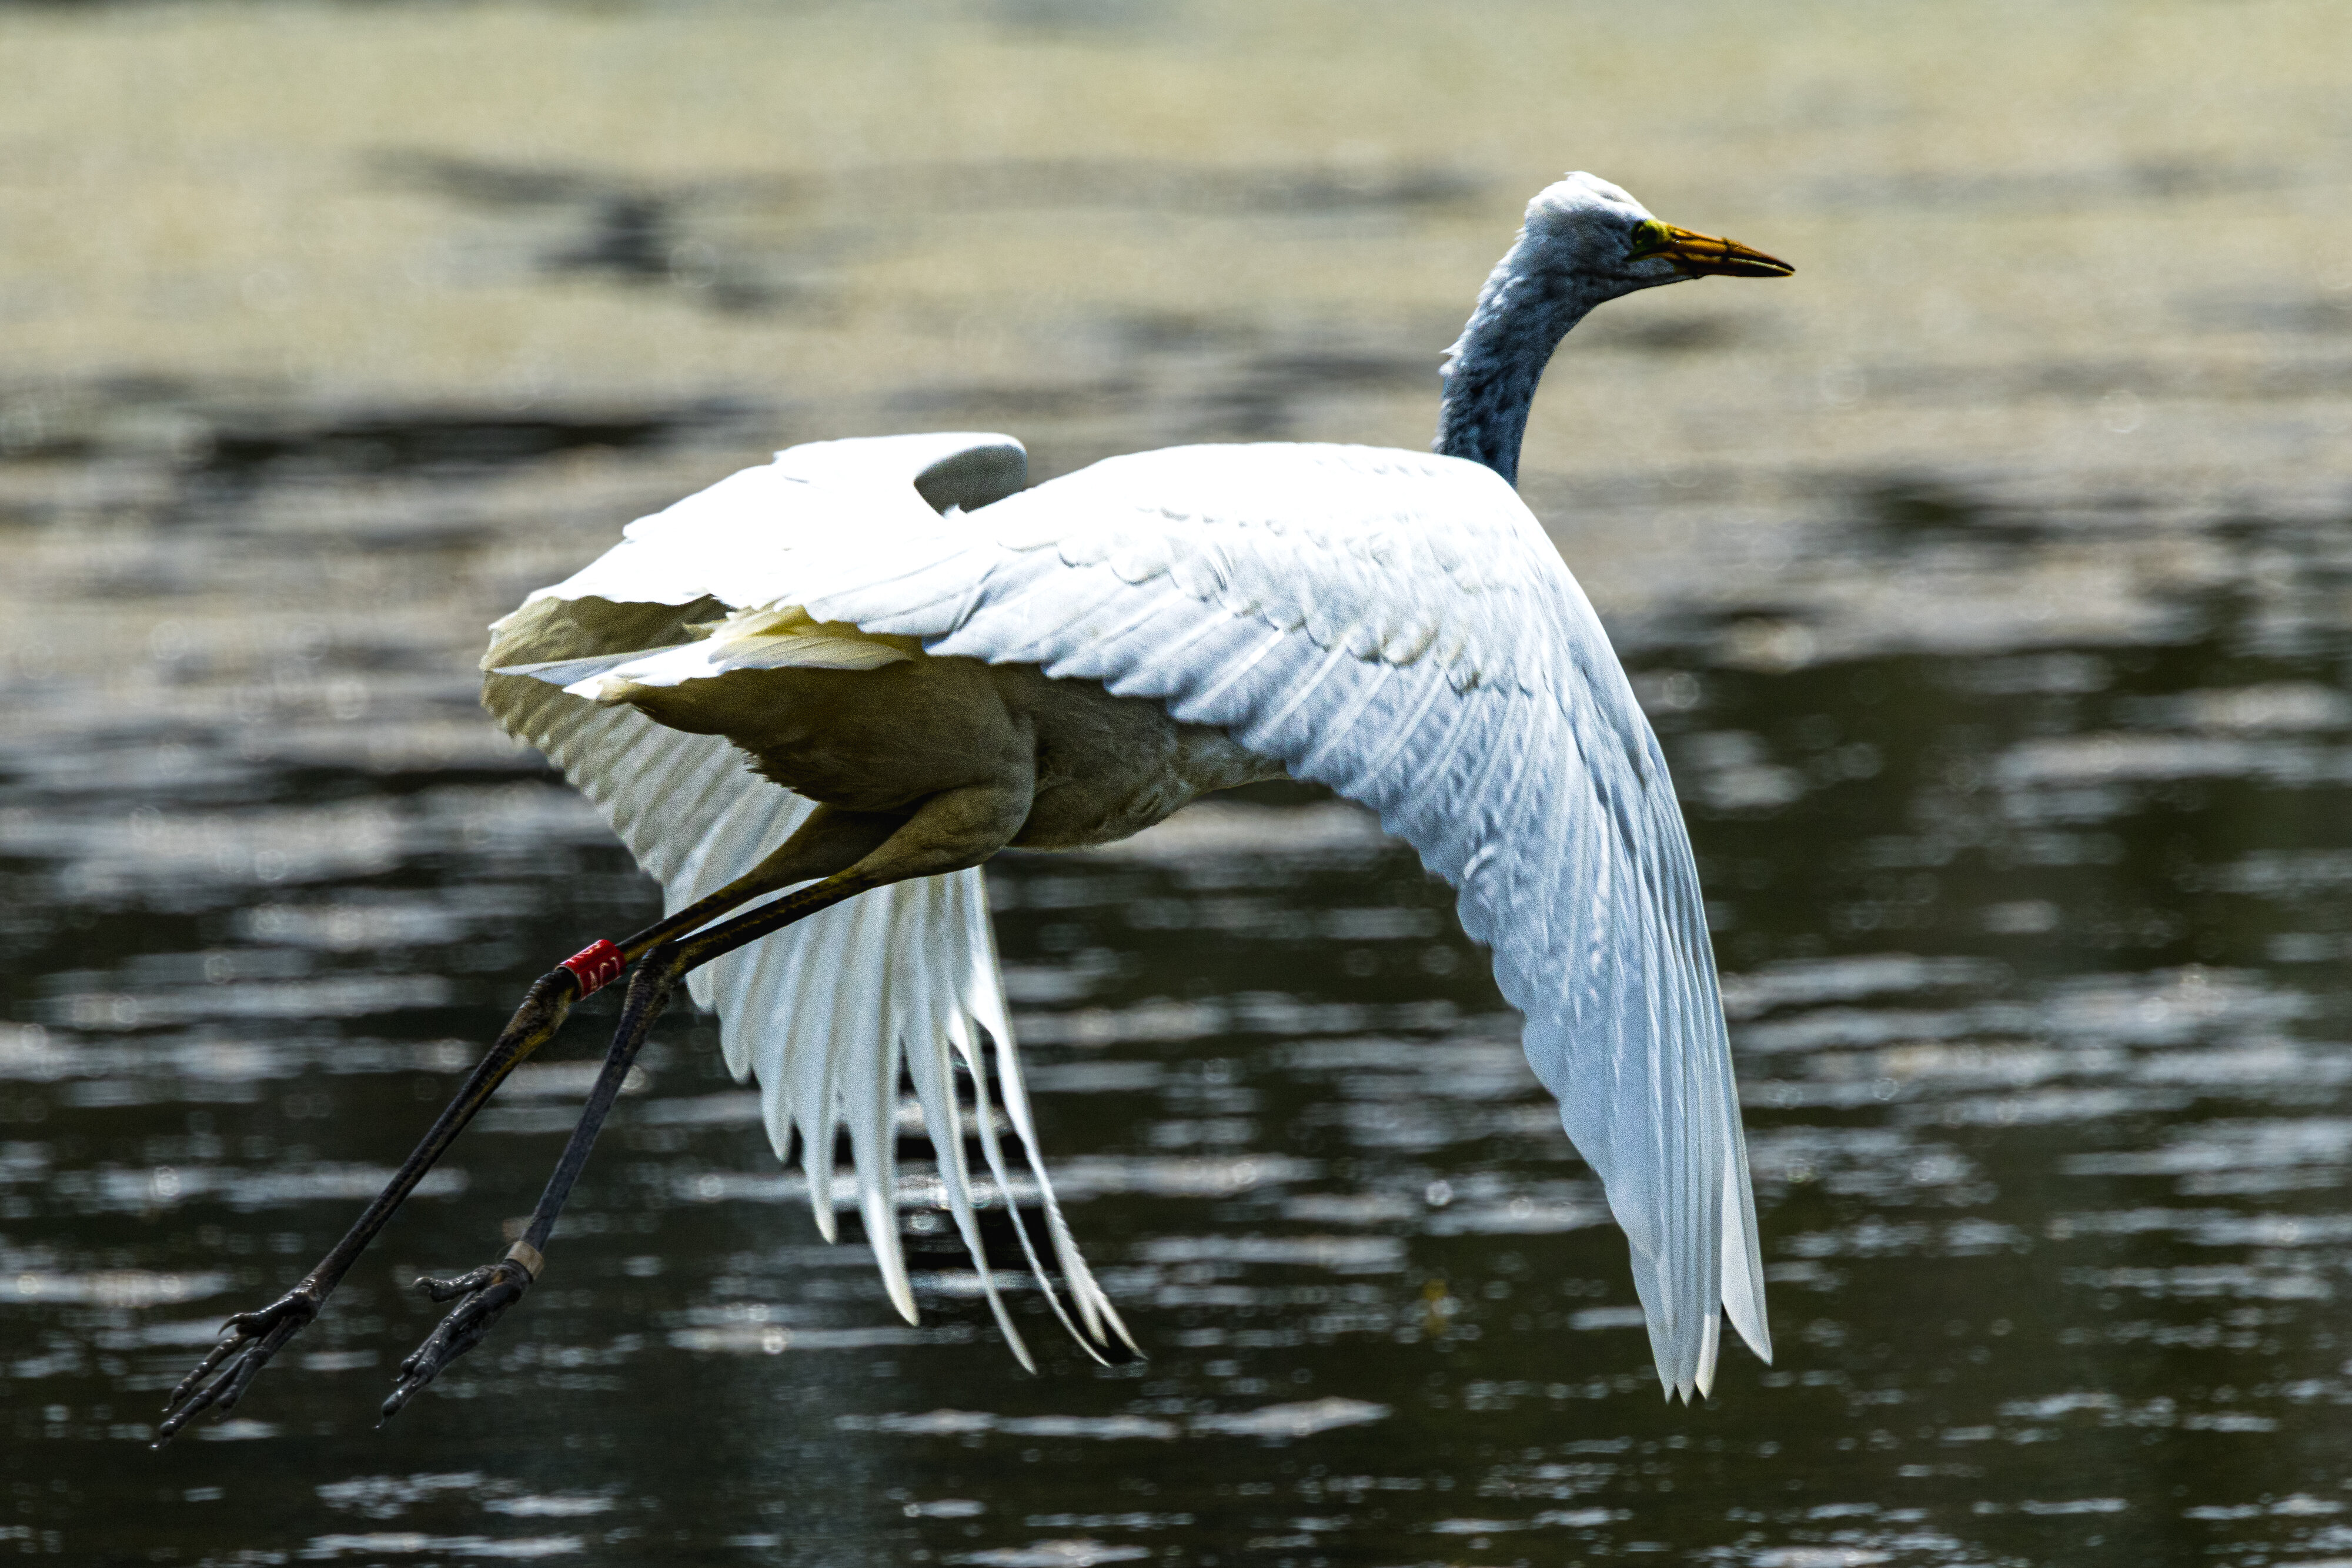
1989	584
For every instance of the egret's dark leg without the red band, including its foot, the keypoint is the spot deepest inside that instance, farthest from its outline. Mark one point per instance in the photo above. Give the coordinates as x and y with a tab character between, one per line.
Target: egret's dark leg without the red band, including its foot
954	831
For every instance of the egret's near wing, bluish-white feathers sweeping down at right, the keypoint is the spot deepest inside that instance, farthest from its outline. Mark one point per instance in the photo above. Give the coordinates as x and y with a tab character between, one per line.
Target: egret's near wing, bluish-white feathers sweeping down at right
1401	629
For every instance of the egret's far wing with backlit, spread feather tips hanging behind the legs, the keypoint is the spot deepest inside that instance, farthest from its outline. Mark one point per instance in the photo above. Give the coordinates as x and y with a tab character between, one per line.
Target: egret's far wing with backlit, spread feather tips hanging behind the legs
824	1012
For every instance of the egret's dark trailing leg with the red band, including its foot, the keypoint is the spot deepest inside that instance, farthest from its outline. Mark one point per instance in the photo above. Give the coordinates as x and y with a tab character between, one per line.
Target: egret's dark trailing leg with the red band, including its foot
250	1339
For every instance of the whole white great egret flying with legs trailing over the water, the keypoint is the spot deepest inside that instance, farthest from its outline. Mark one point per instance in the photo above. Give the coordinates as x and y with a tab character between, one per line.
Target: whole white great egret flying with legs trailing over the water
926	662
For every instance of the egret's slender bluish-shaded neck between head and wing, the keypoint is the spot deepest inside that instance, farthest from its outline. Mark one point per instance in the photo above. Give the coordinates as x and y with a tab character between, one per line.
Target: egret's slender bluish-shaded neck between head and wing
1528	307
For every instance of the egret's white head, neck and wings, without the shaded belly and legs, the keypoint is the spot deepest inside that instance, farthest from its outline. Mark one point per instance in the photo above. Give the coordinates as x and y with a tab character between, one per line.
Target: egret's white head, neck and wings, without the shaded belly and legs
1389	624
